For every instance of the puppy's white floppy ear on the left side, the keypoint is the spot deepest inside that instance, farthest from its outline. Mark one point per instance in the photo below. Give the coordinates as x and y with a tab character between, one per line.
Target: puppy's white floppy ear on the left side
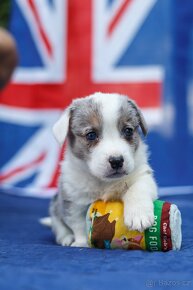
60	128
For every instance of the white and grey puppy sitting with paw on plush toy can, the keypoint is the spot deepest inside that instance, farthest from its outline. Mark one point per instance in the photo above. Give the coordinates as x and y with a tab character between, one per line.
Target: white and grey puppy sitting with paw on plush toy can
105	159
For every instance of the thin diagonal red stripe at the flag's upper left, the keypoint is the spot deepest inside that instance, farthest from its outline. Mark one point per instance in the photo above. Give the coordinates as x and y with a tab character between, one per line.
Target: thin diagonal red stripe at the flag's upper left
41	30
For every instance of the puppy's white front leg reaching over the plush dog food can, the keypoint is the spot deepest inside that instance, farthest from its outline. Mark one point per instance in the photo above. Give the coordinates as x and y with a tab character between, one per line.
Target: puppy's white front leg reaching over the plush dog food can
138	203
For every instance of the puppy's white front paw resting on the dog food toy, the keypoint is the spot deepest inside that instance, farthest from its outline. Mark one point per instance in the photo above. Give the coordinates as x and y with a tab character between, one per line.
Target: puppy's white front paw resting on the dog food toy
138	217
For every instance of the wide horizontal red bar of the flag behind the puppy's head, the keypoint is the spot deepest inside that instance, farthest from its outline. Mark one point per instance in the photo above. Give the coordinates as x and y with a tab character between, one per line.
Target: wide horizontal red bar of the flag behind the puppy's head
47	96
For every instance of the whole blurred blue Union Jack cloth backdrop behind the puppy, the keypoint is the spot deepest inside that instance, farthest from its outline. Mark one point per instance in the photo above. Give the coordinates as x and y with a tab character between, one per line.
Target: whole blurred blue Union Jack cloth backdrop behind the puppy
152	63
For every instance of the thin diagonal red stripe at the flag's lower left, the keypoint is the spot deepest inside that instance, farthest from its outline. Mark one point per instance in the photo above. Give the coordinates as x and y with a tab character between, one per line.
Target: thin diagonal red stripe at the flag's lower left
20	169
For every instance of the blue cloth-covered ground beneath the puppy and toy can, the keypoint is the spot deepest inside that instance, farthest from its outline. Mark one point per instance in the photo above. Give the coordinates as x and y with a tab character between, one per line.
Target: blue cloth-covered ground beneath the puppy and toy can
29	258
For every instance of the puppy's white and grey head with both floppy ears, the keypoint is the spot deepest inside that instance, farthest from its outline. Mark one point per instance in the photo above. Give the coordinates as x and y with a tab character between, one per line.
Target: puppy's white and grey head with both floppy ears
102	131
